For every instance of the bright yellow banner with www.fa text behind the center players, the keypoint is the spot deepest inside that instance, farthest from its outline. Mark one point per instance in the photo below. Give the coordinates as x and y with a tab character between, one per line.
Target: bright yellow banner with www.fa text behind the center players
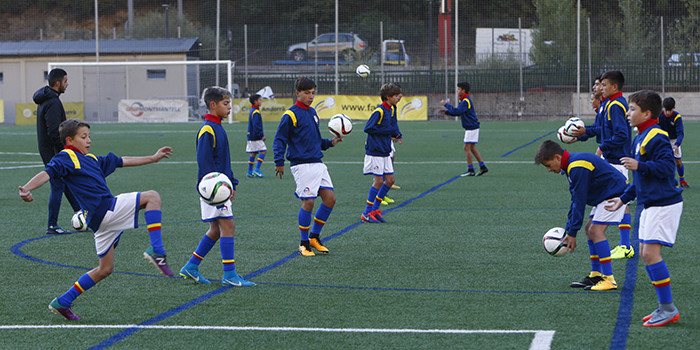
361	107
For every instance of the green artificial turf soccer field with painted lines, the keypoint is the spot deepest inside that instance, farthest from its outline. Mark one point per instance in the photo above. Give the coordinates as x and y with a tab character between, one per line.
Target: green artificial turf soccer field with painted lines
460	263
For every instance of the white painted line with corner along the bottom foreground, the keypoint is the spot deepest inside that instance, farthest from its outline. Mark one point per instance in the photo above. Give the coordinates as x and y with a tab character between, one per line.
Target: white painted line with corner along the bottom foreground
541	341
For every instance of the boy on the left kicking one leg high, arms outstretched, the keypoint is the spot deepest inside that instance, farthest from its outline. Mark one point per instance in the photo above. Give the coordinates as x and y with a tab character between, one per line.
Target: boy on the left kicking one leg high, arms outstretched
107	216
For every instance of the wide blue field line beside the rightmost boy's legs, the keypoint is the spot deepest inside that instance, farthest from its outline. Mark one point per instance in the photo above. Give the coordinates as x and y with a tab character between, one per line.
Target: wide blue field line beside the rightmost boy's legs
624	311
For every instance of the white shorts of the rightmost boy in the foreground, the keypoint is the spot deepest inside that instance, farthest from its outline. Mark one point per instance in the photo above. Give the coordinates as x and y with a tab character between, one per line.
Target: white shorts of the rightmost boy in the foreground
660	224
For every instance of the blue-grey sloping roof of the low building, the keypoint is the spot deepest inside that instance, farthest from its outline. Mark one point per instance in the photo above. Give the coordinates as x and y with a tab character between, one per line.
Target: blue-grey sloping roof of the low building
87	47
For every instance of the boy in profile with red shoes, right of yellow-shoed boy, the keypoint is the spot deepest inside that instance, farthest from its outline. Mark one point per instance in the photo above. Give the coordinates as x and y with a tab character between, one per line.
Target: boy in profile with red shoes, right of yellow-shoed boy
381	128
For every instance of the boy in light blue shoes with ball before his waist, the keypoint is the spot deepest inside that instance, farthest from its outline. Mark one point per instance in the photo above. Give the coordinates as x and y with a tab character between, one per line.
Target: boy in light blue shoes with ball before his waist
213	156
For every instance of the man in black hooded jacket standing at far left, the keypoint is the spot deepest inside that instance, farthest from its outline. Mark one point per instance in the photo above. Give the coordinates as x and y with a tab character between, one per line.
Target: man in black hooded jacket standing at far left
50	114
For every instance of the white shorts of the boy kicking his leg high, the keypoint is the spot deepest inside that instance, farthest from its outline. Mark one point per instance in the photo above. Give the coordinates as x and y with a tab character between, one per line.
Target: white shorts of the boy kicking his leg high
124	216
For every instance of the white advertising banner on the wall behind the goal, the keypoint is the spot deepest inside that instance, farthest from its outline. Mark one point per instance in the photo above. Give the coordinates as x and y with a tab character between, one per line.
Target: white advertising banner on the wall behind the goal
152	111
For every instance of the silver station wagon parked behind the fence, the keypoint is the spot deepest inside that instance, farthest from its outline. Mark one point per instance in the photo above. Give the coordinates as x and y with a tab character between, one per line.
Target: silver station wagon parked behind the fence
348	45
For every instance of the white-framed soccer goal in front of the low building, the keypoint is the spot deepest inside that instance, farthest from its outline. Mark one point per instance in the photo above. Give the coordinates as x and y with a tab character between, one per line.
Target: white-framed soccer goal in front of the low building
102	86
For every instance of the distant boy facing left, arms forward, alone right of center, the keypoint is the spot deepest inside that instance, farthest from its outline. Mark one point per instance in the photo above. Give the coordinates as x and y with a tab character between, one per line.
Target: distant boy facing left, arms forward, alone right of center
470	123
